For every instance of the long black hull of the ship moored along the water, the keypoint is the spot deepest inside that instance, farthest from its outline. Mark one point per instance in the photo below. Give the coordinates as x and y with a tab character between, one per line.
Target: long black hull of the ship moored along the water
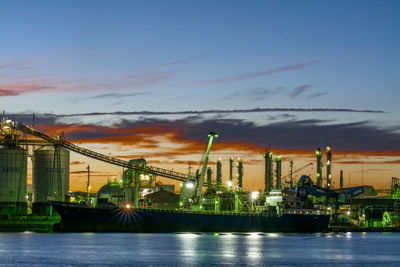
75	218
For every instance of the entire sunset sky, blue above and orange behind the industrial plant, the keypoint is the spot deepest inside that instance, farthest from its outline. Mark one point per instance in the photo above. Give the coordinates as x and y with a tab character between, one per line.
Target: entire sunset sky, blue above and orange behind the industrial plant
150	79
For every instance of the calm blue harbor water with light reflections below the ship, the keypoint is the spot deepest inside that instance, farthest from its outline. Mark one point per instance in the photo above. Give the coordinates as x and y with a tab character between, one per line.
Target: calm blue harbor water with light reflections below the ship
191	249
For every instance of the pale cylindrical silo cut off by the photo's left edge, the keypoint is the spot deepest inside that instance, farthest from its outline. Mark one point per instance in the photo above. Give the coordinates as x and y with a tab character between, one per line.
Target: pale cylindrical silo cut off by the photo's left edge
12	181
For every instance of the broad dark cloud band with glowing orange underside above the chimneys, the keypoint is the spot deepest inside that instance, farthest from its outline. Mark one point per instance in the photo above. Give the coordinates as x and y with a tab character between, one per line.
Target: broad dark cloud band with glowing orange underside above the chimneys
235	134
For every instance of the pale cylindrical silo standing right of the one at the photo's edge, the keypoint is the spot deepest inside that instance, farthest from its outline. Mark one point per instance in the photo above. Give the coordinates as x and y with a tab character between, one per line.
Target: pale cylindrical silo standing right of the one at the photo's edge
50	174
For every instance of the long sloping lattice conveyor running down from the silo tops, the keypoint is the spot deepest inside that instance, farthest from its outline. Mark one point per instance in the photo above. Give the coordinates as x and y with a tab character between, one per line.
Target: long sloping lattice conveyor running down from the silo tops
95	155
